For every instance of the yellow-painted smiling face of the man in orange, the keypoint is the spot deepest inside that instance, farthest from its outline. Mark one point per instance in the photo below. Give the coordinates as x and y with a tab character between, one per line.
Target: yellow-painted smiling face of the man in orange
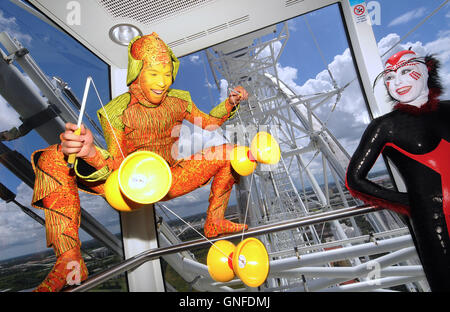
155	81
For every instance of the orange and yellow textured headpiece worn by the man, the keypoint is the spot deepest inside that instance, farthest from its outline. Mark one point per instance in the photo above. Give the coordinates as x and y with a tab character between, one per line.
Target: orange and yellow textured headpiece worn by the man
149	49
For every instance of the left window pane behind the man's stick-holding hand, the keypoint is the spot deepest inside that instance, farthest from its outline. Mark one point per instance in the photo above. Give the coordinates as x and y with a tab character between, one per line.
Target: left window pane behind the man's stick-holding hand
24	258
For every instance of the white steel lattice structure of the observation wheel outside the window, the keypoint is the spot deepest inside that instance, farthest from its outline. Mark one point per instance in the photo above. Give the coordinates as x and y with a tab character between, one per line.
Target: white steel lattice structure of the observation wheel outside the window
309	179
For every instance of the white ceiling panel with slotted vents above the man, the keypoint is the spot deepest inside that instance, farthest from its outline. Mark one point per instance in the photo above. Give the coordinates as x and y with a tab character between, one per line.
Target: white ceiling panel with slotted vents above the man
185	25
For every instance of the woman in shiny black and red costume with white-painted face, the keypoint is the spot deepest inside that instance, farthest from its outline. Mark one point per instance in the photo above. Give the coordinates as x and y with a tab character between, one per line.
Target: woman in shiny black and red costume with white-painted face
416	137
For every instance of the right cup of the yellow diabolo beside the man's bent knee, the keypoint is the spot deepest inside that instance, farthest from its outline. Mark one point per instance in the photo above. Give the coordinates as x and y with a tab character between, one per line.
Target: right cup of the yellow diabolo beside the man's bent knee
265	148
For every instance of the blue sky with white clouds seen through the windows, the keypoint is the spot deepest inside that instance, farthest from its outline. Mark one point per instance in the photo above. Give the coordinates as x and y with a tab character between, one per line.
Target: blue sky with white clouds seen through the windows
300	65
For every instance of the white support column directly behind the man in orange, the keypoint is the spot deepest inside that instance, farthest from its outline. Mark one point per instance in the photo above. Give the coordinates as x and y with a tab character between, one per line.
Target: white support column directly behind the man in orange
138	228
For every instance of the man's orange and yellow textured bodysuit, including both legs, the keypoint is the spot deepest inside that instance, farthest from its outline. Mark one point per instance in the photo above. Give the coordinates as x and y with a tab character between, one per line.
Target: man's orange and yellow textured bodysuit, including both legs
137	125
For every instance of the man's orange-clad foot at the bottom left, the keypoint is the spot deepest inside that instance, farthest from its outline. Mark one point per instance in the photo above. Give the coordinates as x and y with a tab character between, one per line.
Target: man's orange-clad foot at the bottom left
69	269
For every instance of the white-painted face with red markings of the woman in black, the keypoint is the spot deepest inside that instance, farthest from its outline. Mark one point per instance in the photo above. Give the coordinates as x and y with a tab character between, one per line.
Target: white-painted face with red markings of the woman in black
407	81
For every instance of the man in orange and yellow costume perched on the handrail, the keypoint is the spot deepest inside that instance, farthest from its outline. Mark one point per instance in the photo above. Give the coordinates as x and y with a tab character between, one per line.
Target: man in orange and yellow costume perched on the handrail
144	118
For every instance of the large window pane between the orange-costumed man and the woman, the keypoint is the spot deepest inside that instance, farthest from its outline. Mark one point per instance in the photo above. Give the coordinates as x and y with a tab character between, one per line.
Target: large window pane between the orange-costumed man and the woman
301	71
